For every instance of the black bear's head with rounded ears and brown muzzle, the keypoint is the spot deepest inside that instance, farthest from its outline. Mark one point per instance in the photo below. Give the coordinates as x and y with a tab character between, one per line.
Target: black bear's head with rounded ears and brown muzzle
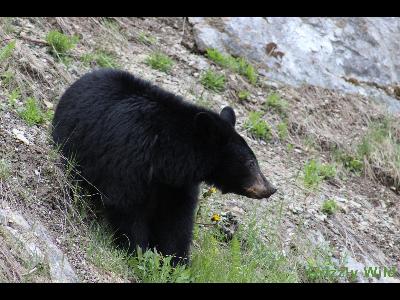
236	169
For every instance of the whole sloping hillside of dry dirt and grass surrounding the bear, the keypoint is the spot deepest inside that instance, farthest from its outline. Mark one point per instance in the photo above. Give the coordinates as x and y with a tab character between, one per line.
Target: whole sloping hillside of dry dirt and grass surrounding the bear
335	159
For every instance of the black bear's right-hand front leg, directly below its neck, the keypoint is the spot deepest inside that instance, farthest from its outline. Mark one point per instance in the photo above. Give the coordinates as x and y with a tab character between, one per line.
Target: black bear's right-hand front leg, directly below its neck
172	224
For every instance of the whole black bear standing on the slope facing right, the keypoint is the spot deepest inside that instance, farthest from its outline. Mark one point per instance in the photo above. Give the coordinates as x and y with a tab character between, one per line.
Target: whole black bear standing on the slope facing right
147	151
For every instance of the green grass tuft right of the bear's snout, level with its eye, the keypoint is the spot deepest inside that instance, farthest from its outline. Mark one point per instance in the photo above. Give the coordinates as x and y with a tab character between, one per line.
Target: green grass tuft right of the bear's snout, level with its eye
314	173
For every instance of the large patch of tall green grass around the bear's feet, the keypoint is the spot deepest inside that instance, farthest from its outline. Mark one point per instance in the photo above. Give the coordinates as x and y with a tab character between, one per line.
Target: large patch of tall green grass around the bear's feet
243	259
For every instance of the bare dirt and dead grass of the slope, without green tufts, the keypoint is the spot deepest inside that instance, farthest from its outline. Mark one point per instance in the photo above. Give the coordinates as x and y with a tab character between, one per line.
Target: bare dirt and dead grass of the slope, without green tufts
366	229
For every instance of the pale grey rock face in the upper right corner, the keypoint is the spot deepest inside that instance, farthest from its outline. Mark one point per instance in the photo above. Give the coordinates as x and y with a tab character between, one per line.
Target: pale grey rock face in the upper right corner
354	55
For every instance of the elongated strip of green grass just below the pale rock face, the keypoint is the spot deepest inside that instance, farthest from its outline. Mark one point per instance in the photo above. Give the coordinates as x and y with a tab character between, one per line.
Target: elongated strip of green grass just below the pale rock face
238	65
